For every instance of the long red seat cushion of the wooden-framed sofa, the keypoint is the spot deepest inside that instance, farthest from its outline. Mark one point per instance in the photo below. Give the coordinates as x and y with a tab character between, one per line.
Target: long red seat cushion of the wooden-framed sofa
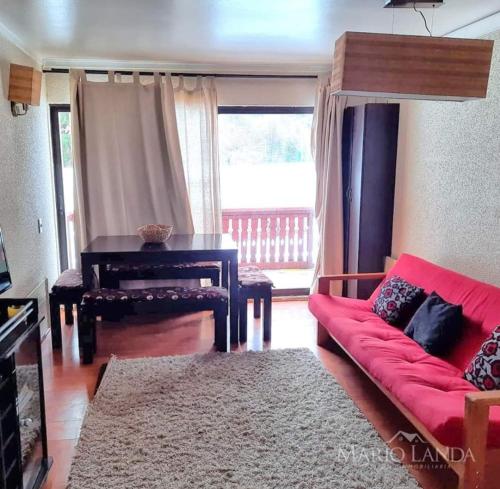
431	388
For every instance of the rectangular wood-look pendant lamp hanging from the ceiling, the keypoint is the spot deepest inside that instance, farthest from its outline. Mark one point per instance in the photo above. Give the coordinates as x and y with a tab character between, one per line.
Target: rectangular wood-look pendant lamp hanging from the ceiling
411	67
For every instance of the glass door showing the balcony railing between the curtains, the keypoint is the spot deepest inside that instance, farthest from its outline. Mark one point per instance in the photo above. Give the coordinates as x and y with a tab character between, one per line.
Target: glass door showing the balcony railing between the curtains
268	190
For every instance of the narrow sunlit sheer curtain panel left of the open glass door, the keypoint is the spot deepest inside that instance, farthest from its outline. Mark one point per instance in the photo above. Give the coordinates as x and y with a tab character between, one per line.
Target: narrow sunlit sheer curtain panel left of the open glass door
196	108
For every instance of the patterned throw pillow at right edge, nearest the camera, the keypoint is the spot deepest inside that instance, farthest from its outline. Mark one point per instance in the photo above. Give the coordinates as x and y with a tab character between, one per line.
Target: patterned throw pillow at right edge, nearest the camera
484	370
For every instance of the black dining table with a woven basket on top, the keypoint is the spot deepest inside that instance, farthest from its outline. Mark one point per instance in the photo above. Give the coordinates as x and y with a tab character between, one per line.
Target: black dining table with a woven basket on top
179	248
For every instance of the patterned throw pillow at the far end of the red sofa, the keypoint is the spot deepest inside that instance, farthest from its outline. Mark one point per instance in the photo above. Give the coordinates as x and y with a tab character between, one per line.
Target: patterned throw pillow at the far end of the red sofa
398	300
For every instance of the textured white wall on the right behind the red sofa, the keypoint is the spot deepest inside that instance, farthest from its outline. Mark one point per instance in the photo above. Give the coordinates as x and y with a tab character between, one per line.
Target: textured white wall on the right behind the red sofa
447	205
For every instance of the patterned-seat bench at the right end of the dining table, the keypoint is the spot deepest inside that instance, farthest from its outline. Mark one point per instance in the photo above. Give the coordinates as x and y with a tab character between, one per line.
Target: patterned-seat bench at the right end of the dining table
256	285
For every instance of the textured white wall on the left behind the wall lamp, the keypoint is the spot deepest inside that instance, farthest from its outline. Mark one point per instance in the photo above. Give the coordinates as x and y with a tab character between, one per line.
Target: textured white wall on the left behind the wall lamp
26	191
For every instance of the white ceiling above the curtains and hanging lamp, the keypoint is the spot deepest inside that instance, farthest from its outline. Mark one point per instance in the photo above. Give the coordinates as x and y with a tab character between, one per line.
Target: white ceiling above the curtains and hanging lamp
263	34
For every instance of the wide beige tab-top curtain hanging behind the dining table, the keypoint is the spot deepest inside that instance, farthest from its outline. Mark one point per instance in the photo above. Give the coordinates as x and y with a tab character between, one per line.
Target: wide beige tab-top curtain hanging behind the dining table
127	157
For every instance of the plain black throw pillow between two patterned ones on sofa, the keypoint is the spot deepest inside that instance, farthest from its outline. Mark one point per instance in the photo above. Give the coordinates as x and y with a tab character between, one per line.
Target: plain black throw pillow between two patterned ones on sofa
436	326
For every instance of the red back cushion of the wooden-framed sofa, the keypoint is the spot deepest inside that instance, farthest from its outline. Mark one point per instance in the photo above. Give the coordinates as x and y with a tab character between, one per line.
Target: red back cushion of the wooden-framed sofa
480	301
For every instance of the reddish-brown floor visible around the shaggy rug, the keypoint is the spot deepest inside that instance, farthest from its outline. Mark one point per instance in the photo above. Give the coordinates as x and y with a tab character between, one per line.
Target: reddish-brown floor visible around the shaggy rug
70	386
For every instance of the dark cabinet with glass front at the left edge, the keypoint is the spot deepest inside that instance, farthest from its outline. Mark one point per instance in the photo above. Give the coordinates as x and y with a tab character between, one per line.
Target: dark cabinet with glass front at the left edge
24	460
